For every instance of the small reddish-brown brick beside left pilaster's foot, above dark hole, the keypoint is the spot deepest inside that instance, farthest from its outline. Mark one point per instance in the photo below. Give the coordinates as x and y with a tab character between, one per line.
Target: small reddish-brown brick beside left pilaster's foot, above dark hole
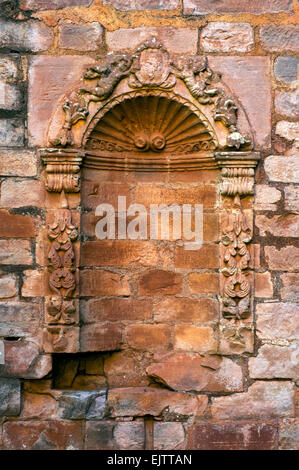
100	337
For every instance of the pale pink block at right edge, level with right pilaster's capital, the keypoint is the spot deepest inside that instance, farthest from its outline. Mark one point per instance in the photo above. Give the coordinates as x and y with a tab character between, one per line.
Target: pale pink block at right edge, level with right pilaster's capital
284	169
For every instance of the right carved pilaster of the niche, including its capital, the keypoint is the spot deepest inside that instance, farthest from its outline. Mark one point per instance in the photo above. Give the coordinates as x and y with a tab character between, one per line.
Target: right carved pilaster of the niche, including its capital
236	295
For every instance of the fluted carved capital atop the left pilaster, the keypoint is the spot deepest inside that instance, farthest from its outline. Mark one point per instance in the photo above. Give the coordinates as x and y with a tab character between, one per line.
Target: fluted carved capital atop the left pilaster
62	169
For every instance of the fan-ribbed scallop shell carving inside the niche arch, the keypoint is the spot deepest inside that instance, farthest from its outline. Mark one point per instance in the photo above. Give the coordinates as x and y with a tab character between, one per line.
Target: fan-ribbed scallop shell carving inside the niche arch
151	124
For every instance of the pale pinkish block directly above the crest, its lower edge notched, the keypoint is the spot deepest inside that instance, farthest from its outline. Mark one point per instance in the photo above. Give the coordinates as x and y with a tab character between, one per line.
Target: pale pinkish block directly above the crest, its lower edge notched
177	40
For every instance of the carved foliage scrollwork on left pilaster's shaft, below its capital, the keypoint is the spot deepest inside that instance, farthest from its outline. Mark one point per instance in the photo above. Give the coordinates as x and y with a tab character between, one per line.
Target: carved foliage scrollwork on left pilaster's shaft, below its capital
61	307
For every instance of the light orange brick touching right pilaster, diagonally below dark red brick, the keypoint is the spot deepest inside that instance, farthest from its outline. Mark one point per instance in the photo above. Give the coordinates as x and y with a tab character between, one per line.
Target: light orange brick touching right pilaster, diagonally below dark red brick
184	310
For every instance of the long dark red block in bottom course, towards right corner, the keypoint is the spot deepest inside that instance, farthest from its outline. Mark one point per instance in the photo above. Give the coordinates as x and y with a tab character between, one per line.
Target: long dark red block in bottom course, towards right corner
233	436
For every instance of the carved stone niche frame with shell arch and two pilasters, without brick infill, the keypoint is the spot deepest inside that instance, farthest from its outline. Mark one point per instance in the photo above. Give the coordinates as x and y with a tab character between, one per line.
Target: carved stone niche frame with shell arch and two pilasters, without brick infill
150	111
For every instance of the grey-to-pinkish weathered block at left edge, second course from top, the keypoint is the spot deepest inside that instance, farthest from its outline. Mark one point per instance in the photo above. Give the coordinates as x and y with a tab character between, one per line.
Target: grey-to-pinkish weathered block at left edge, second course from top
30	35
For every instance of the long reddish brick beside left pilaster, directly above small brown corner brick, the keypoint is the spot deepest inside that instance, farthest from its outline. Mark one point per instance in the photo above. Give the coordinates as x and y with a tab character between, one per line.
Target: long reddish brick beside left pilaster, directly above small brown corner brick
100	310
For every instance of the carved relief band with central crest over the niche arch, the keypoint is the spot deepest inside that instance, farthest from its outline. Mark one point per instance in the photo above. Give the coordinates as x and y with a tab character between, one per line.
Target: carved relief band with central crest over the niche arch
151	67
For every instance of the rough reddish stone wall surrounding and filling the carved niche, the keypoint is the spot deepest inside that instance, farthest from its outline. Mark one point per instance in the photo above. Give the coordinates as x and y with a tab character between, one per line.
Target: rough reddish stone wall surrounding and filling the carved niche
155	378
